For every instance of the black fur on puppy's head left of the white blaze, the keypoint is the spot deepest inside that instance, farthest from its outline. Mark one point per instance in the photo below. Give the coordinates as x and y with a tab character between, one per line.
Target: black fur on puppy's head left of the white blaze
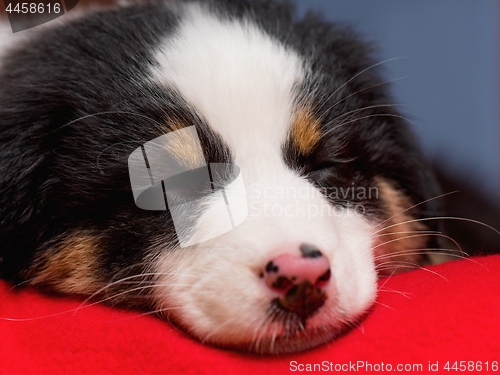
73	108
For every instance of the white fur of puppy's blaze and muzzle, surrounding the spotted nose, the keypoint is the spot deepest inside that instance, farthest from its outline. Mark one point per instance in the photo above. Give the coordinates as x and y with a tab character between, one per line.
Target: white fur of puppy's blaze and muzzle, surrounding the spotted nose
242	83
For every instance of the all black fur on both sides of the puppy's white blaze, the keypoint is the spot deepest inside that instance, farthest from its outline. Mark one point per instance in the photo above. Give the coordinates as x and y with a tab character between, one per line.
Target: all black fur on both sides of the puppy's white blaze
74	104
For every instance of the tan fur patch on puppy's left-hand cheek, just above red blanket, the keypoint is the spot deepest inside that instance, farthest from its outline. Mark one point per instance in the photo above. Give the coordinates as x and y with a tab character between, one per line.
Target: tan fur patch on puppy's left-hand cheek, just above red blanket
72	266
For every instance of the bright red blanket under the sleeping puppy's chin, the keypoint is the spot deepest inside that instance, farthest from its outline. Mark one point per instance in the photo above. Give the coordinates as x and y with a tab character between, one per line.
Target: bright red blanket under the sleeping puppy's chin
436	317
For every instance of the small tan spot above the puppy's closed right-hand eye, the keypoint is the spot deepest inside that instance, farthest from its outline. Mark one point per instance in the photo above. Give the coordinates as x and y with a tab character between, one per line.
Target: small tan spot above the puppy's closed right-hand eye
306	131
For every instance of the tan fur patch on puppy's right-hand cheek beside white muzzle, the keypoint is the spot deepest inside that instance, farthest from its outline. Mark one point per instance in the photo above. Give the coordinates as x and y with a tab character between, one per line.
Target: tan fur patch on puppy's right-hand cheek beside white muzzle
400	239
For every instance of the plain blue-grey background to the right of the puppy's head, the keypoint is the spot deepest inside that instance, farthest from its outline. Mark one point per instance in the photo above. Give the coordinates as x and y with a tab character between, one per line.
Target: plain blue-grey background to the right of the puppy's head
449	50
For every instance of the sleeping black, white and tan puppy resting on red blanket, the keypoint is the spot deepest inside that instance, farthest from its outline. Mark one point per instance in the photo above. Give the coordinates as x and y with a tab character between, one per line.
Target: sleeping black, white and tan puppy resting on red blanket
240	172
